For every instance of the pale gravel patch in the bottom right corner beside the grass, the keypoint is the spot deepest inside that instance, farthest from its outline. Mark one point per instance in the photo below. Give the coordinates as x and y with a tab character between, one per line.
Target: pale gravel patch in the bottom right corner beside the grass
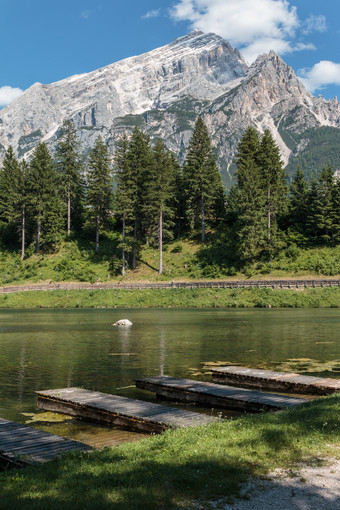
306	488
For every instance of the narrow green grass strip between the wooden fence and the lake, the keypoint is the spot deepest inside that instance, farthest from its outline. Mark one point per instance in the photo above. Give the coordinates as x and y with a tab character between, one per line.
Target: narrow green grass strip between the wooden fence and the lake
175	298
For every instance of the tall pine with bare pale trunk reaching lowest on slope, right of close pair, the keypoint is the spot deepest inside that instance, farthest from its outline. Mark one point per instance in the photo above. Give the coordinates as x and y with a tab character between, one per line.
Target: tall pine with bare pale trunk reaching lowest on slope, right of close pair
160	197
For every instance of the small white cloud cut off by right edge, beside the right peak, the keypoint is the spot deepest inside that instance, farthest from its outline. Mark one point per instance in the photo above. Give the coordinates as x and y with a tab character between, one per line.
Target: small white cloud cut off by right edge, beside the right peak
321	75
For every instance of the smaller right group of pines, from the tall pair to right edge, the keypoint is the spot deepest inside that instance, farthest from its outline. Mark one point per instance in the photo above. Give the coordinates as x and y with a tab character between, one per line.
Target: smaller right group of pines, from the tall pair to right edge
264	213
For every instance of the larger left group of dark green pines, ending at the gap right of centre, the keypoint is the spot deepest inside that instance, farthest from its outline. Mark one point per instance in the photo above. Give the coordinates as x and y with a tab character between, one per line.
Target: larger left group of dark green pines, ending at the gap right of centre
143	192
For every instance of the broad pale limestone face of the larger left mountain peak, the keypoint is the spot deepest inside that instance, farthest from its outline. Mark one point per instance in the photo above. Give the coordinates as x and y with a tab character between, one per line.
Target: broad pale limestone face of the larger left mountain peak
197	65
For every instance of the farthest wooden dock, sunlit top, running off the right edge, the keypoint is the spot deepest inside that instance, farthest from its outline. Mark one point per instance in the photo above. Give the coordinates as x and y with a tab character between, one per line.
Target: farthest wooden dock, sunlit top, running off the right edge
274	381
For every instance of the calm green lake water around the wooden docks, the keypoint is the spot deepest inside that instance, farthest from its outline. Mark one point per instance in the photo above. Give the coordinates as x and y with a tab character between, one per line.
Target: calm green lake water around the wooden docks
42	349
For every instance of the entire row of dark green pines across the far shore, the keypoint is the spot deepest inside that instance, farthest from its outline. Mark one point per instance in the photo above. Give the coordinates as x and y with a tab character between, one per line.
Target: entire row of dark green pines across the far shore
148	197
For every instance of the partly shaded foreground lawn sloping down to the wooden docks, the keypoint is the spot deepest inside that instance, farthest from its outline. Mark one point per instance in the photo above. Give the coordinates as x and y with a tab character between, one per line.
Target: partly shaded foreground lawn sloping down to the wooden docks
180	469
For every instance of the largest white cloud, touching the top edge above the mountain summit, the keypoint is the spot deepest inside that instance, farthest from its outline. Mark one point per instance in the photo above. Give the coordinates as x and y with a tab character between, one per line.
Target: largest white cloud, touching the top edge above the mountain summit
254	26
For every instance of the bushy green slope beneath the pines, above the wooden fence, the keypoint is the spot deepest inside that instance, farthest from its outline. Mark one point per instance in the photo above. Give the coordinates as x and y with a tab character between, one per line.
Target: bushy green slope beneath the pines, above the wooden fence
183	259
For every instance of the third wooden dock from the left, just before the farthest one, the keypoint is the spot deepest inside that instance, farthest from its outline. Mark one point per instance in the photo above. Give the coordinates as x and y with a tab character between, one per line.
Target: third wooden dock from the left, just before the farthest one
216	395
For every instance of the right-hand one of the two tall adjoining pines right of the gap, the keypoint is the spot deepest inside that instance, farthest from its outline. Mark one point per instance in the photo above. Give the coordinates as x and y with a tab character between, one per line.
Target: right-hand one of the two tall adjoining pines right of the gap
273	178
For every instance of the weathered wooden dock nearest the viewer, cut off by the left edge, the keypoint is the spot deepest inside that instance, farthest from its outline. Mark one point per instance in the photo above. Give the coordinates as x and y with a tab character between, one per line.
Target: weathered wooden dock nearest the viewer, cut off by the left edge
21	445
